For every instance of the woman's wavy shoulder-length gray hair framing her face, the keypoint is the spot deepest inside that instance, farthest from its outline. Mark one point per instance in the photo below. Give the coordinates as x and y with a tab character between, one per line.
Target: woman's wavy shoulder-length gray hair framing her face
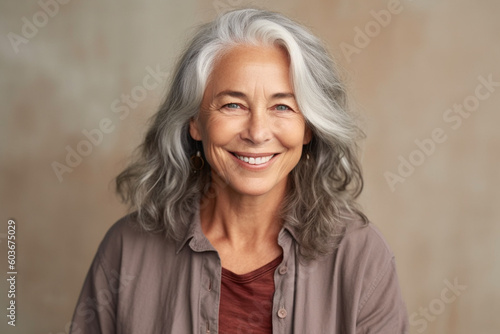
160	185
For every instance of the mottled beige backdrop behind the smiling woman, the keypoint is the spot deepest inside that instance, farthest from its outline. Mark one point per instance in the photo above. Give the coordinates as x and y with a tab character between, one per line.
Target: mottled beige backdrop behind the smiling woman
442	222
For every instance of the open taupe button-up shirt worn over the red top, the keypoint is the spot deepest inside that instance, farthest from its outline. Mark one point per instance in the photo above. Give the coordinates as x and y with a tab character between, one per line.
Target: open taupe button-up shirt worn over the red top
141	283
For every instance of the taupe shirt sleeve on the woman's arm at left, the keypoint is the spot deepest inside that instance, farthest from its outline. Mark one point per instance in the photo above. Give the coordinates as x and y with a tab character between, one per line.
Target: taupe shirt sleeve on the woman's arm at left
95	310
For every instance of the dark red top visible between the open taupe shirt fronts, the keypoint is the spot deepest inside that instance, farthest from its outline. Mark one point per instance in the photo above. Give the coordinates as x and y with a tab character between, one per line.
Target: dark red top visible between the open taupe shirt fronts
246	300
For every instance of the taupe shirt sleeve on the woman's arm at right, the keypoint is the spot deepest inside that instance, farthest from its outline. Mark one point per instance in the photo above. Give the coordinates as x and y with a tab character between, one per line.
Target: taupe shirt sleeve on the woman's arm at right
368	271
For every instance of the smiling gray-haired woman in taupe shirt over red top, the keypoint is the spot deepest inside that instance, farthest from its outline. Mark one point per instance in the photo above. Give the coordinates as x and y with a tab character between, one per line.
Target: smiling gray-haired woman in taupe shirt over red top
243	195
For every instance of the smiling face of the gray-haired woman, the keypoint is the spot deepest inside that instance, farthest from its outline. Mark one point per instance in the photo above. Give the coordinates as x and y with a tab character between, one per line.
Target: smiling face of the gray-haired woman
249	122
